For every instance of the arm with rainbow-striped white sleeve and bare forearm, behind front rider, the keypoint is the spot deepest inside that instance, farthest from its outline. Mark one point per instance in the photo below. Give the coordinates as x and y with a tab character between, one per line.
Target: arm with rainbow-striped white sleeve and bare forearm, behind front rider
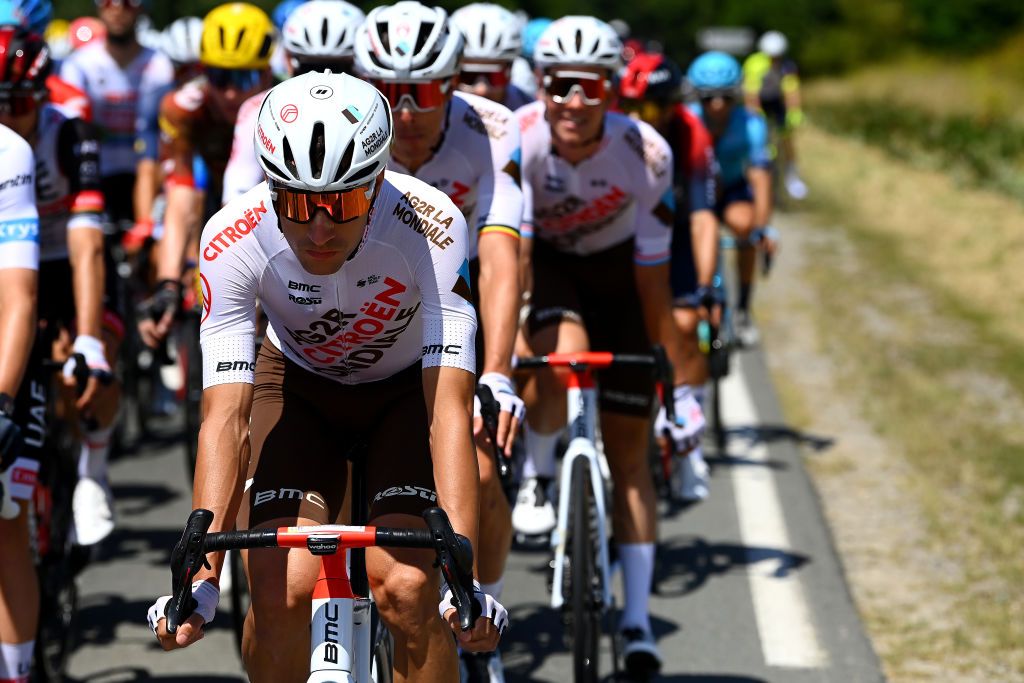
500	209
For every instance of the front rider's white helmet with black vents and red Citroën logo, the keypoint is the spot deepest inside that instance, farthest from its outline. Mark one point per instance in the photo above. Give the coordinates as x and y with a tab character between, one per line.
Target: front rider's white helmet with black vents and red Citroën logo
324	133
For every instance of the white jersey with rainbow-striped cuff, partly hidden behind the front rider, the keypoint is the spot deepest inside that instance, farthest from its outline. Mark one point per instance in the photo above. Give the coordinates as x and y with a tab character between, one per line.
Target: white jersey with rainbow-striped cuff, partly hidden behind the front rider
477	164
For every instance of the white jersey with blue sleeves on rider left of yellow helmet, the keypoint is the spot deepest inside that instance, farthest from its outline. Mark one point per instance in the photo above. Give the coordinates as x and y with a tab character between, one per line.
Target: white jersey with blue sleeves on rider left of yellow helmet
115	94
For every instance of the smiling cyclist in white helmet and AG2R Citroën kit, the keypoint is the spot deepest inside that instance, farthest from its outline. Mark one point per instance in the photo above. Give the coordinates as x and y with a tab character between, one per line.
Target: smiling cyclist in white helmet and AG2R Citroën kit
600	211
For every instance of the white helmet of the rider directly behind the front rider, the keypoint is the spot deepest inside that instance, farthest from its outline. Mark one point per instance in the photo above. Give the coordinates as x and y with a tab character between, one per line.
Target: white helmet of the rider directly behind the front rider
409	41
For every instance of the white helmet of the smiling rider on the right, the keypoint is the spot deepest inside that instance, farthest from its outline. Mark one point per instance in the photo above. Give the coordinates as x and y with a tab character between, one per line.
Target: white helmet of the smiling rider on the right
579	41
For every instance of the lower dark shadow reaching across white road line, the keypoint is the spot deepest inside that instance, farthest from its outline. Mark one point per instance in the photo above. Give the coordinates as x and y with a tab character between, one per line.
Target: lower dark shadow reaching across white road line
684	565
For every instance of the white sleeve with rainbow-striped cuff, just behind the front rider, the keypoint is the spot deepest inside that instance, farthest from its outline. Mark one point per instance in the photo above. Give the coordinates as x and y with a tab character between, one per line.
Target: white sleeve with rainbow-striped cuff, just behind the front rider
499	195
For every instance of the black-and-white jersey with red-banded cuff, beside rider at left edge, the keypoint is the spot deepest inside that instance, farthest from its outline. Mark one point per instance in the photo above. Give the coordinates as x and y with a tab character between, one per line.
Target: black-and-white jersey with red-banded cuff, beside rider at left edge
68	192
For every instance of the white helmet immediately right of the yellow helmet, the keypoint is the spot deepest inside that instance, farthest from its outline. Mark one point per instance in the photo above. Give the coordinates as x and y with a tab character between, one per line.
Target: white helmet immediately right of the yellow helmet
322	31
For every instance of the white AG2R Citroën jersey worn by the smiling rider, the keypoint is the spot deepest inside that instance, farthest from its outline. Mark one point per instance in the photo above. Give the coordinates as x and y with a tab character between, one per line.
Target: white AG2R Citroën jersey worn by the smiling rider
623	192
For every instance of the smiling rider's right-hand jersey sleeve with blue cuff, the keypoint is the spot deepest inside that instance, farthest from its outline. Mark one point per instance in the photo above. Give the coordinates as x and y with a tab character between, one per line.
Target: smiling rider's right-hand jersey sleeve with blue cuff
656	201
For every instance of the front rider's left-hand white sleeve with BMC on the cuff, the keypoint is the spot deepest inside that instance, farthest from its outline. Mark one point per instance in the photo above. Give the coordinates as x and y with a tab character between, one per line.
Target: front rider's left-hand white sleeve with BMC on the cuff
228	328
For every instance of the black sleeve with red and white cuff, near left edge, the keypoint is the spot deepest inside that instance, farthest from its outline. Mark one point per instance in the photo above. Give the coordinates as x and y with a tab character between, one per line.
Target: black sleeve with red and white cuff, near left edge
78	158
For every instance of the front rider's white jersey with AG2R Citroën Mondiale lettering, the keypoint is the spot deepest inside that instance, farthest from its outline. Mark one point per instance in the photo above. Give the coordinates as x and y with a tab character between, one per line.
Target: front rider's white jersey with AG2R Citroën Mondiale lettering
403	298
